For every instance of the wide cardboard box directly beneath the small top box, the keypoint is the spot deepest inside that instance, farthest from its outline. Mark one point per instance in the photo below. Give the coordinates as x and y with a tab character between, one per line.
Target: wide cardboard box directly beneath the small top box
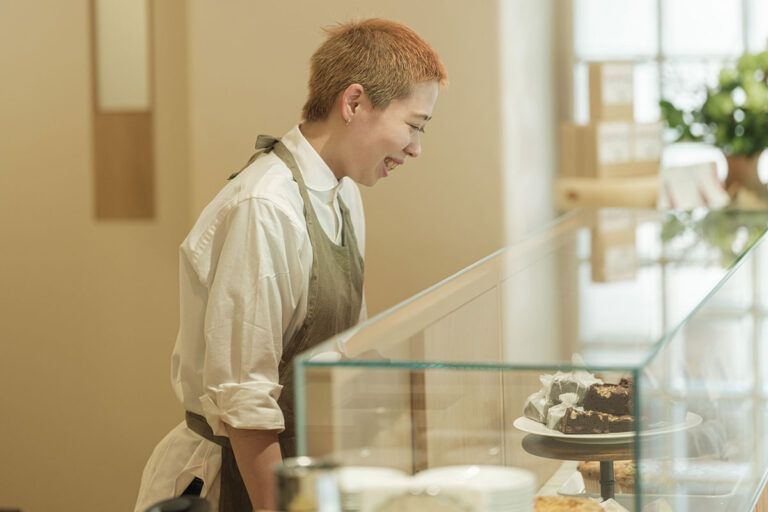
610	149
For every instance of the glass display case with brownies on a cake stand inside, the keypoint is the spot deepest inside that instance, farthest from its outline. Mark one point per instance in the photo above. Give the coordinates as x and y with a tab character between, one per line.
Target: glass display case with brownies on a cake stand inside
670	306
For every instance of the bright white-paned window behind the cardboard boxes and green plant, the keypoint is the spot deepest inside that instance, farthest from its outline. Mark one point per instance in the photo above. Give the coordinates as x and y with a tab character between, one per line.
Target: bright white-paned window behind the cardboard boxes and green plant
678	46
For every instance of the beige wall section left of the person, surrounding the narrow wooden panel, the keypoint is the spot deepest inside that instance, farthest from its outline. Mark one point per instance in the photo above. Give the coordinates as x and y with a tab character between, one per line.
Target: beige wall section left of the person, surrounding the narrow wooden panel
89	309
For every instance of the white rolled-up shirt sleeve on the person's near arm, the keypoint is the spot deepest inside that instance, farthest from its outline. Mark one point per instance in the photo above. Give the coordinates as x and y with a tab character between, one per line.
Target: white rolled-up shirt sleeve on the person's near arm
253	295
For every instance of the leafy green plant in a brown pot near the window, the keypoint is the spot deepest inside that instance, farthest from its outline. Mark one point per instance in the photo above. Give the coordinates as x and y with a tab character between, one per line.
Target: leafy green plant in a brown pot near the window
733	117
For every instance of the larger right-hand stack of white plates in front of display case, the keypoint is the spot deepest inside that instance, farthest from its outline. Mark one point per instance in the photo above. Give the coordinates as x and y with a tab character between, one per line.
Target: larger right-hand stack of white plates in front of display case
499	488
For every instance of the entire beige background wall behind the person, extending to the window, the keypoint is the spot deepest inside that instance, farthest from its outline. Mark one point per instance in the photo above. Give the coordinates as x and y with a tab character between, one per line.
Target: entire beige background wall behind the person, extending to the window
89	308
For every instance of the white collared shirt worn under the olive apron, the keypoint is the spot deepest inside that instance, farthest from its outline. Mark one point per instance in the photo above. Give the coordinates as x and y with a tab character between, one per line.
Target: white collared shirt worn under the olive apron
244	274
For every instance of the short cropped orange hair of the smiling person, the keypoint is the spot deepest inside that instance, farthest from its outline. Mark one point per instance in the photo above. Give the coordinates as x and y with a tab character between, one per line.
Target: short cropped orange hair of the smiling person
386	57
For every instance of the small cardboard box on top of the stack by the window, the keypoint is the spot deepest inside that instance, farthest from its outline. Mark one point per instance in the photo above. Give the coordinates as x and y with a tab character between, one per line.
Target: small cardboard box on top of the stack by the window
611	91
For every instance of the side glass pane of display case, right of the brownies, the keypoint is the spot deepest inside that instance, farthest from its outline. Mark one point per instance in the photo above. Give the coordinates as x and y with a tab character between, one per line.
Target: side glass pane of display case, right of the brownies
705	374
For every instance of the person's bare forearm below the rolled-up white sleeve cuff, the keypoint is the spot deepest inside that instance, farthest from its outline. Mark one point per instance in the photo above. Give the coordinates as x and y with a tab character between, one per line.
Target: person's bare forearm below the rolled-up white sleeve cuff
256	452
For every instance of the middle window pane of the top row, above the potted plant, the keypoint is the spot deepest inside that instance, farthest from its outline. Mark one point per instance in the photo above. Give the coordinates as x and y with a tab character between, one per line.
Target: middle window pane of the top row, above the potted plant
701	27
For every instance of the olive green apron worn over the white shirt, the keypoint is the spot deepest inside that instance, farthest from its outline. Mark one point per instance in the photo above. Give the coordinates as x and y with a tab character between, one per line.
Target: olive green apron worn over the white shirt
333	305
